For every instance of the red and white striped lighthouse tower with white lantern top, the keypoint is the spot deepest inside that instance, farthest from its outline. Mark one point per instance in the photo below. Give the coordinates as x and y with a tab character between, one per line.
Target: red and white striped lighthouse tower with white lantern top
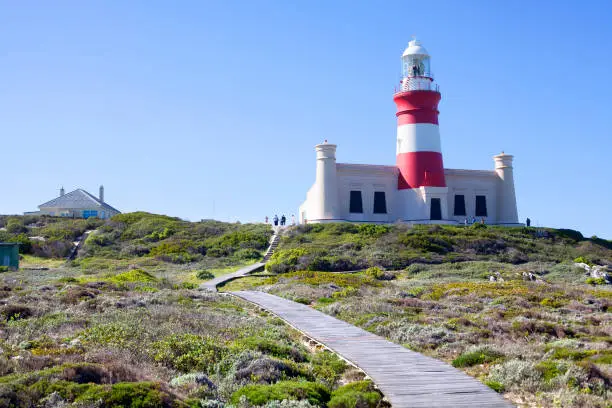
419	153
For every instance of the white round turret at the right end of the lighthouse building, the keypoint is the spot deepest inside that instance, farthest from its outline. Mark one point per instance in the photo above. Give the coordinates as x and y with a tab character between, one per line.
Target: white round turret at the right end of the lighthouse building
506	196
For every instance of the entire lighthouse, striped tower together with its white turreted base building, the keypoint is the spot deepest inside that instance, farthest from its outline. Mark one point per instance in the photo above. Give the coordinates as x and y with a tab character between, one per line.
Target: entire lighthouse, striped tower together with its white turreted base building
418	189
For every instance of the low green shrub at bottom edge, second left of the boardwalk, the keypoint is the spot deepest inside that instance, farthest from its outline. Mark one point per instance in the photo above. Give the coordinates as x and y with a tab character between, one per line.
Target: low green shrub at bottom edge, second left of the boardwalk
258	394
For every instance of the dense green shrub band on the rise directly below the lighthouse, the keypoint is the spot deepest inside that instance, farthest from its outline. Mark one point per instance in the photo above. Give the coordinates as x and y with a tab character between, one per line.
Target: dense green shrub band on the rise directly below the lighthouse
346	247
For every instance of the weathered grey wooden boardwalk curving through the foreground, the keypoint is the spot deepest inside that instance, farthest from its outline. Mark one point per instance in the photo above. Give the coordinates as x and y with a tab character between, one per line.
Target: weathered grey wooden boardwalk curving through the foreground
406	378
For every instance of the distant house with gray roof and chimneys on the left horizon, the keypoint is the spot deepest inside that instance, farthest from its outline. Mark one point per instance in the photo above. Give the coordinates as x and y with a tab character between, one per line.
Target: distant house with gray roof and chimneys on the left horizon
77	204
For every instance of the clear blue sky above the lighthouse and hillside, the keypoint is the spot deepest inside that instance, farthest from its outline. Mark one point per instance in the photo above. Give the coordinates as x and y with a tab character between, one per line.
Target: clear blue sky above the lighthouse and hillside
212	109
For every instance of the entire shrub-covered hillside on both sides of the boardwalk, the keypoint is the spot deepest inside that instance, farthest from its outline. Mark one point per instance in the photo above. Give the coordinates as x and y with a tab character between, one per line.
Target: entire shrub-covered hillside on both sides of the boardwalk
124	322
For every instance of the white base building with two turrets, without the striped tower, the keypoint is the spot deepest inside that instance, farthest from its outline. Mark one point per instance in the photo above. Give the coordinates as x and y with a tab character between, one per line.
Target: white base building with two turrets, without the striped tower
369	193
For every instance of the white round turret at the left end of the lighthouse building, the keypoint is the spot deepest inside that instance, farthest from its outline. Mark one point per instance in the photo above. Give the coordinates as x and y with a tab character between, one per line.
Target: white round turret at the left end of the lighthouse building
326	187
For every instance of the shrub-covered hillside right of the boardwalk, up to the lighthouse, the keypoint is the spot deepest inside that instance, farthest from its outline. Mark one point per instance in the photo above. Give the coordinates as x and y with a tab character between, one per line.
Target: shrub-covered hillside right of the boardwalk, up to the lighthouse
506	305
